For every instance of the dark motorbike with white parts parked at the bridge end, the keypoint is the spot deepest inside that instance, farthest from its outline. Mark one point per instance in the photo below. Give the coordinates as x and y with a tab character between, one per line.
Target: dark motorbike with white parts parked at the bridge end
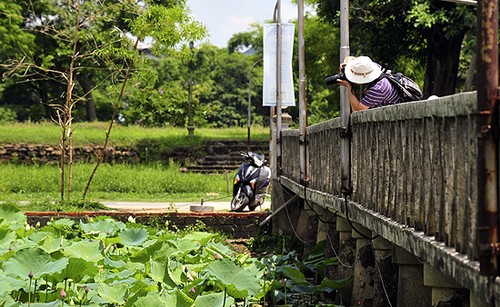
250	183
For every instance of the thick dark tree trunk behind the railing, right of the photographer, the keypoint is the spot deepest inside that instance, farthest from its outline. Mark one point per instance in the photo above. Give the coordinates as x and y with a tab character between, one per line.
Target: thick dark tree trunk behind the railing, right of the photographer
443	55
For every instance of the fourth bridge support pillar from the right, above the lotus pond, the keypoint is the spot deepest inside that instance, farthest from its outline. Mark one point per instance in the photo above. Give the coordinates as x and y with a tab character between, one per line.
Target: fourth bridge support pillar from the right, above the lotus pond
363	291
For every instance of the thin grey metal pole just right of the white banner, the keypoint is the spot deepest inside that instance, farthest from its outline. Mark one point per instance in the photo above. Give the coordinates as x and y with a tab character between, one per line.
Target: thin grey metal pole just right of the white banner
302	97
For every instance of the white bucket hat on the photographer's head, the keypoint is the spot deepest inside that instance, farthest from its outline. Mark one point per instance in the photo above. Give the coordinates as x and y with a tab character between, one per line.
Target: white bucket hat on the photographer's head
362	70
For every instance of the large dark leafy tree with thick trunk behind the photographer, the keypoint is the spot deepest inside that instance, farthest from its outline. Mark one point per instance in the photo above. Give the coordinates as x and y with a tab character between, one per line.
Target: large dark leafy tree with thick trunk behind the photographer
428	31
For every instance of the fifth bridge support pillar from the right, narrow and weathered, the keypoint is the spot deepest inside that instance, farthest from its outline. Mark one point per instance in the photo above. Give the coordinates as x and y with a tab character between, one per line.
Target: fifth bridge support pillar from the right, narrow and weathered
346	252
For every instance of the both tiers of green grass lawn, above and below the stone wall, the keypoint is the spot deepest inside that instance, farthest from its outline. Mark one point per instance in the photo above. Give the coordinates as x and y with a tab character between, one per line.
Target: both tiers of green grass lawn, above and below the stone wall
115	182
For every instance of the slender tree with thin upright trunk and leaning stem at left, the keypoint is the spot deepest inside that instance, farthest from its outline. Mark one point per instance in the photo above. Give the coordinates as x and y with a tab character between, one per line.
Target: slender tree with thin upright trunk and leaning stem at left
74	34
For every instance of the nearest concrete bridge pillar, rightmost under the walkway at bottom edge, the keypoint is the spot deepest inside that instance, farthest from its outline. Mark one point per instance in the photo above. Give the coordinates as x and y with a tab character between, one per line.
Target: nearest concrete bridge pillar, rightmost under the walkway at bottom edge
445	290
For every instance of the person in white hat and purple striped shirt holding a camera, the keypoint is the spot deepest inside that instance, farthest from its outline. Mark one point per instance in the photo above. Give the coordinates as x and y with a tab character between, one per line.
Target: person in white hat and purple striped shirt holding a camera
378	91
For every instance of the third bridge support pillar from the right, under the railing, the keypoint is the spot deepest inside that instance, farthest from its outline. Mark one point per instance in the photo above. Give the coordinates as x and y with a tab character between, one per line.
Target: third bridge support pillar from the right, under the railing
386	285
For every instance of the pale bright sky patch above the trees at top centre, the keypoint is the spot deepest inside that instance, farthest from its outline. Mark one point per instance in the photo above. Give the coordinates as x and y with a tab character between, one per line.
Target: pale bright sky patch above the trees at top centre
223	18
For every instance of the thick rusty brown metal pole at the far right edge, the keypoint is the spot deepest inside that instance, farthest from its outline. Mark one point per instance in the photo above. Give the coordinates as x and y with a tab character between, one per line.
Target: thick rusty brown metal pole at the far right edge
487	123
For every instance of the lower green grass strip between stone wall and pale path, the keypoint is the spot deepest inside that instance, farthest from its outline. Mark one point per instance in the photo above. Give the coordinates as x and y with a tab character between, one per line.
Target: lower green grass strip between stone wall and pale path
112	183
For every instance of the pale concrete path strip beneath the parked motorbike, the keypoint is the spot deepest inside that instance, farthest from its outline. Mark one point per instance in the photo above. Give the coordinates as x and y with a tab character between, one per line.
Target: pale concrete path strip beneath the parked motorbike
207	206
